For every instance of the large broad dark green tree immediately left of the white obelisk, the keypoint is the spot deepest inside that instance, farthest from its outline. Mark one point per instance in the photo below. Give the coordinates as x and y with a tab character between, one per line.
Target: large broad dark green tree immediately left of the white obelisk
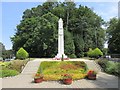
37	35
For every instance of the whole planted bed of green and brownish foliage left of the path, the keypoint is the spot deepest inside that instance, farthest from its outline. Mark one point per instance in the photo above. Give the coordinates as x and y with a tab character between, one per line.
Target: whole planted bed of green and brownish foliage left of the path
12	68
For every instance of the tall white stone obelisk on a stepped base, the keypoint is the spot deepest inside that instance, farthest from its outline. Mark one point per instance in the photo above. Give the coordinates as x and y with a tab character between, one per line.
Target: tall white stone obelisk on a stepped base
60	40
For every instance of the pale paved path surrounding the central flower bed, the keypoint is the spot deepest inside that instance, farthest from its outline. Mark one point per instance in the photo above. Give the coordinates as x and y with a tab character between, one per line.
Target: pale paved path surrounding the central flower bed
25	79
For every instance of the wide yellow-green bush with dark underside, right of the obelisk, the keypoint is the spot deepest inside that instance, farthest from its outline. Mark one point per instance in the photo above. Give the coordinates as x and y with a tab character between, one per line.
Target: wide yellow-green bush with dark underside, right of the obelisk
96	53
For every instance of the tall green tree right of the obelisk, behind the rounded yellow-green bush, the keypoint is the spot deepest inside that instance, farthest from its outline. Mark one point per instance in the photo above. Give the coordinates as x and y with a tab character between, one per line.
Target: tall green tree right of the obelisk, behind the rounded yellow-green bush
86	28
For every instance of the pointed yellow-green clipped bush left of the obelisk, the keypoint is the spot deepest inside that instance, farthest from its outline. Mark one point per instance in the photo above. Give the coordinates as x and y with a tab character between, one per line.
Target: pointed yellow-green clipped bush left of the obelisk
22	54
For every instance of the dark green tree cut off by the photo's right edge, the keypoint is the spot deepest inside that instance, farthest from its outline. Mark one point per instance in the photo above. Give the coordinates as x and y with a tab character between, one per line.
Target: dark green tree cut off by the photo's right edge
113	32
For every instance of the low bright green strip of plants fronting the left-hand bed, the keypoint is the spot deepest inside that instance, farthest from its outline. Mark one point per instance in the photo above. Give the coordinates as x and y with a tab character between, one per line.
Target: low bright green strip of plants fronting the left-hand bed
8	73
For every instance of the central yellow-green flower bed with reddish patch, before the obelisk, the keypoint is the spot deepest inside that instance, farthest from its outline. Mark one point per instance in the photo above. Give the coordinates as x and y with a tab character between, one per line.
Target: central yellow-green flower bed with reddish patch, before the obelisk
53	70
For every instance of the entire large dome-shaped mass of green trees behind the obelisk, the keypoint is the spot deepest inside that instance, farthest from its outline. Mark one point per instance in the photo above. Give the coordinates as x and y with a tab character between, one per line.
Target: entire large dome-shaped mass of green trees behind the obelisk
38	30
